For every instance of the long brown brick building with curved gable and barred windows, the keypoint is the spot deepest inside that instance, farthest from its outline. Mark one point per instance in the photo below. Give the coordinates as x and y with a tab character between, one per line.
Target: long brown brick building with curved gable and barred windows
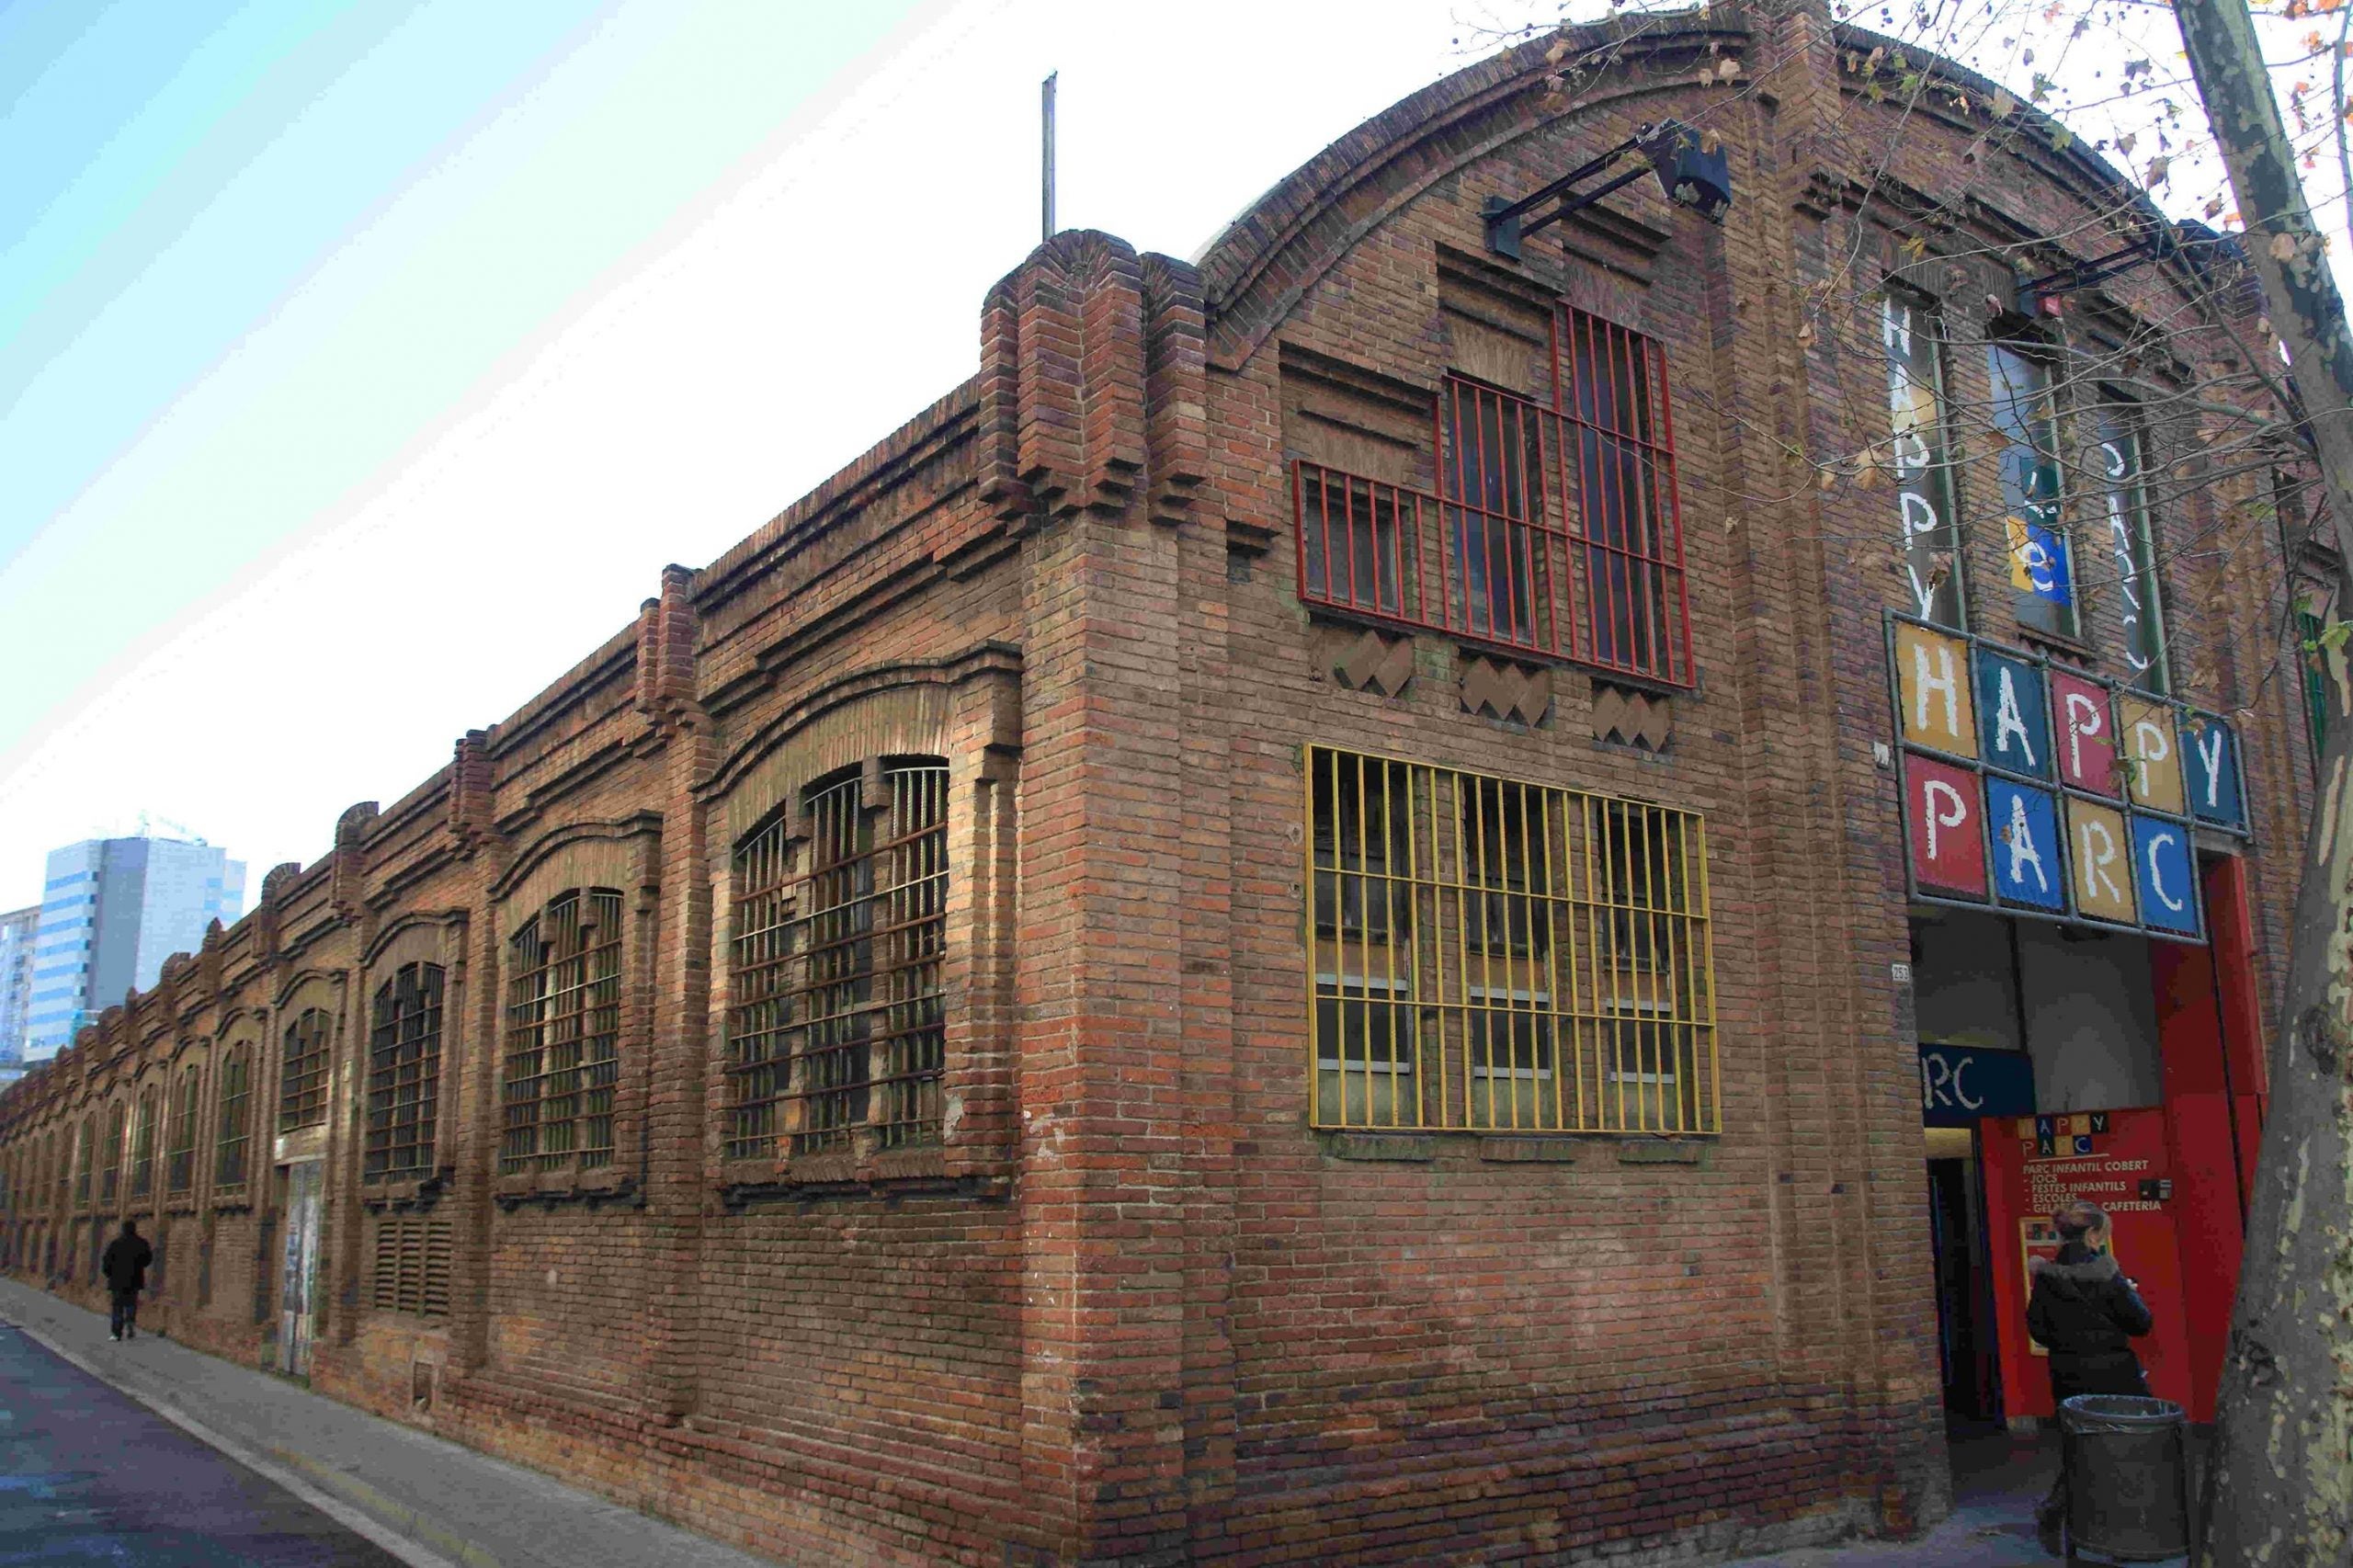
1298	924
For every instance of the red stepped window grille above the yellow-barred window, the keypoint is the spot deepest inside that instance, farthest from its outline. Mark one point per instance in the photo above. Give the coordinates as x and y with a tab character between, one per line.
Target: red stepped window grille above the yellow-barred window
1554	529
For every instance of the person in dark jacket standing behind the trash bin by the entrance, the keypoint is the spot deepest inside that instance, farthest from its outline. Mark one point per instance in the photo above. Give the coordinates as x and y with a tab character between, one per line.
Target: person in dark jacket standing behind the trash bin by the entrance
2086	1315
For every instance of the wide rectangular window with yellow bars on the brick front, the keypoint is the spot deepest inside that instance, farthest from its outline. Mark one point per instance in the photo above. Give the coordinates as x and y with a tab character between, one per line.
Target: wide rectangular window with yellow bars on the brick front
1509	957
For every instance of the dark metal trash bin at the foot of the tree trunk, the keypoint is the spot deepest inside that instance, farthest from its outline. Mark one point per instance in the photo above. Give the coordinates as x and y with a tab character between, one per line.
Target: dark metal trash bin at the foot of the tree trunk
2128	1477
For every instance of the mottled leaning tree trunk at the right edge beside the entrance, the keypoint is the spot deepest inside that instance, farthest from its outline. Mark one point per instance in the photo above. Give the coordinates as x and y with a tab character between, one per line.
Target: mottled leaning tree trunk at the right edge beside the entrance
2281	1484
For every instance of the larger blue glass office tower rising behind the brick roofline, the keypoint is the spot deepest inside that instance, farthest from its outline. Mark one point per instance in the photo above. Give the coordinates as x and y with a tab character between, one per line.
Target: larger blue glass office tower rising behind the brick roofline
112	912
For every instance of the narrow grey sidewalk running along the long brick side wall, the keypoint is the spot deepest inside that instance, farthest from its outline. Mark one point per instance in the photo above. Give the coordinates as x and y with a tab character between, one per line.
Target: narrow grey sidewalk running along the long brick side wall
427	1501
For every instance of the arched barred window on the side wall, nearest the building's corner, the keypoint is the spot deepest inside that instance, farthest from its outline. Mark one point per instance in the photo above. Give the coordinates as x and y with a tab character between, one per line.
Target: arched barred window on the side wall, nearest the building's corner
839	1016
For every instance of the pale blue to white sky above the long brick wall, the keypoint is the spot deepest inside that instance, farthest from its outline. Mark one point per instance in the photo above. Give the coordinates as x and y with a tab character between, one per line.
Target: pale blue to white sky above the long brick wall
361	364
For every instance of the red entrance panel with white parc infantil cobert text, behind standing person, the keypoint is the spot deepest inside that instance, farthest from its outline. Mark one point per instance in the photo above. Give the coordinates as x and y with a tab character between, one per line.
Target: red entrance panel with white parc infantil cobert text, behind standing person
2117	1160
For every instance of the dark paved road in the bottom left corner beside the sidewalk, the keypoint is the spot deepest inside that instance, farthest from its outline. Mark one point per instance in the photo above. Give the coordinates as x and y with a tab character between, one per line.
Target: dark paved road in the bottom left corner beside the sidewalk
95	1477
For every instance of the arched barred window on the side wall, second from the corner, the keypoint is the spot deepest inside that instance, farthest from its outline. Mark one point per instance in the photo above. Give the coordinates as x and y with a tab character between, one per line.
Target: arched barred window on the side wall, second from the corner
564	1035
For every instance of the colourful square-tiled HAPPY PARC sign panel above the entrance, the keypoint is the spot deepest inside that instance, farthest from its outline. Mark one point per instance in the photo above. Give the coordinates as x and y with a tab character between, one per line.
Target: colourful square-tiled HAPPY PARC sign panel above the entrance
2051	792
